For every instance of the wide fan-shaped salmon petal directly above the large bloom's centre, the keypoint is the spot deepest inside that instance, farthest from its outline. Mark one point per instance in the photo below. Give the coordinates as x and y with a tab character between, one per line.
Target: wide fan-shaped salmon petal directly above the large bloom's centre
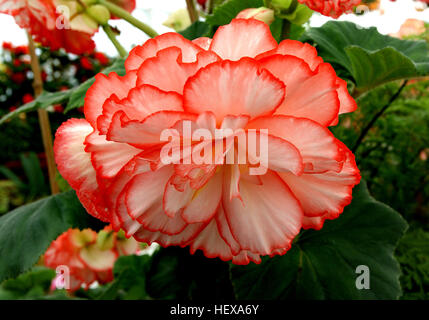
233	90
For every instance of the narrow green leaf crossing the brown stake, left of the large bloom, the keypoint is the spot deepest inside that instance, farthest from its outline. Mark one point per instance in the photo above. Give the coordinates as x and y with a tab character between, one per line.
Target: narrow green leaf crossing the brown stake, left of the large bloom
75	96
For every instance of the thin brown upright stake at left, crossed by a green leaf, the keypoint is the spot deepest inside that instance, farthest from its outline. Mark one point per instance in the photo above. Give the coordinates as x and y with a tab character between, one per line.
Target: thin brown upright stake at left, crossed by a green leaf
45	126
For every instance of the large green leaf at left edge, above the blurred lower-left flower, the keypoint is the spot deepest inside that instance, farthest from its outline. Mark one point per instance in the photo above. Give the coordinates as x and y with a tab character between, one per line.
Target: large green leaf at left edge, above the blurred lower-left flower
26	232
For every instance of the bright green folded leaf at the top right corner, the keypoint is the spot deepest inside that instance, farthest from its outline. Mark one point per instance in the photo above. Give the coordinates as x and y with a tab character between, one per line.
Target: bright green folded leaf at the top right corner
370	58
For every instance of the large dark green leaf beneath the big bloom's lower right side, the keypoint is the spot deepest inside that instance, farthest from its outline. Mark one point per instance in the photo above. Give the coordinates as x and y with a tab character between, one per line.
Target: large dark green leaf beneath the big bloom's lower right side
322	264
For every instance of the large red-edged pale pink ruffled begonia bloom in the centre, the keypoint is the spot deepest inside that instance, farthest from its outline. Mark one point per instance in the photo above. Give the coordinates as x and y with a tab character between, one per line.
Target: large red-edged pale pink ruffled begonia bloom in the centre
113	157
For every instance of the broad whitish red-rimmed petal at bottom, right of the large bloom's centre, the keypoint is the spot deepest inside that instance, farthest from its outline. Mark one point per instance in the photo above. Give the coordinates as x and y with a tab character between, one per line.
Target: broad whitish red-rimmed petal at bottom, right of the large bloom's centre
268	218
